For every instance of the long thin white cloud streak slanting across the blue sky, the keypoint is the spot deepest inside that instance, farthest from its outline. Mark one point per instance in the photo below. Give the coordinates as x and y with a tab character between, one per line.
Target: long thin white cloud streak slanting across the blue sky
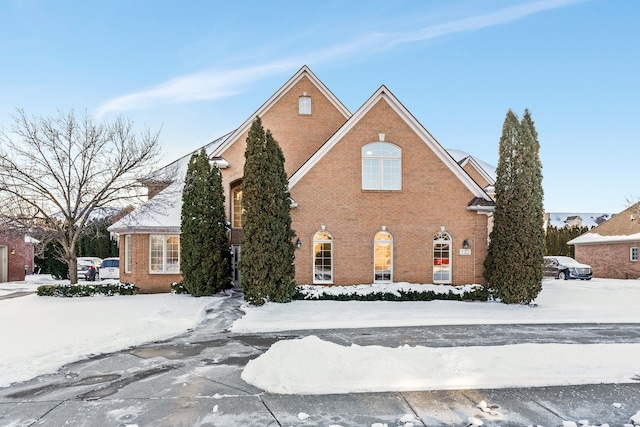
217	84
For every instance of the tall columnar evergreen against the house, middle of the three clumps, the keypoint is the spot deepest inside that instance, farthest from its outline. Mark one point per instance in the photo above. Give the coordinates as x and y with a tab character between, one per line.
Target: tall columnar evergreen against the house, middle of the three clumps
267	258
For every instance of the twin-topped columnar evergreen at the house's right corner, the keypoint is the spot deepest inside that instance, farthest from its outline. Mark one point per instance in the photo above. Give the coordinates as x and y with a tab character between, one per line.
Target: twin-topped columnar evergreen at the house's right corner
513	267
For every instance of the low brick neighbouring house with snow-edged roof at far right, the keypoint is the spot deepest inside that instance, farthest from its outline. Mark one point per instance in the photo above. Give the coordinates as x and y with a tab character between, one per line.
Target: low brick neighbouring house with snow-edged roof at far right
611	248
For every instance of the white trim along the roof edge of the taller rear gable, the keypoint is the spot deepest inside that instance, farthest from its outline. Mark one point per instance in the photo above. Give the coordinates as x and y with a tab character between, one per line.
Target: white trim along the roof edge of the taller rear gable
303	72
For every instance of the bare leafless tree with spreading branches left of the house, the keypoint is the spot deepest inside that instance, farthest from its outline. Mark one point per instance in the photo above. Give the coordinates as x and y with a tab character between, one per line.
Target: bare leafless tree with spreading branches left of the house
57	173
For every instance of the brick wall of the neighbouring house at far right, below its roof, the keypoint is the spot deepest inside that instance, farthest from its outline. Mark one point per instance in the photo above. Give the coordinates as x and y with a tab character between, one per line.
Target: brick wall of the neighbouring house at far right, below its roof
610	261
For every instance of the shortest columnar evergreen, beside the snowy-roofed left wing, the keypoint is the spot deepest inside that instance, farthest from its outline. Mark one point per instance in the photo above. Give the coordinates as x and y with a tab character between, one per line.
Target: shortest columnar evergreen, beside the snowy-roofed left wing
205	258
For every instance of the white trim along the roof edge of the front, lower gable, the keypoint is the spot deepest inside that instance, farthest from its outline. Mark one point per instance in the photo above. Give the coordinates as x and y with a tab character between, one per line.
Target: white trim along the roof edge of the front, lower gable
385	94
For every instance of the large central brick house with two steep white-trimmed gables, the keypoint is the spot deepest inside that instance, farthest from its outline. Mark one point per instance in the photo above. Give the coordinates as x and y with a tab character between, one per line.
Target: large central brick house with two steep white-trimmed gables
375	197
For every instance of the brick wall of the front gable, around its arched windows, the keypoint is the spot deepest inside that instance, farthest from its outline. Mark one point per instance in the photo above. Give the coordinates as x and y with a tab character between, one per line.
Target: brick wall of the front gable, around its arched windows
330	194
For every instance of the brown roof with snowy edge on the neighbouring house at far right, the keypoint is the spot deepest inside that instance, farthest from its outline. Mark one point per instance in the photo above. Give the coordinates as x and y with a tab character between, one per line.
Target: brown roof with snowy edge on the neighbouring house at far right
623	227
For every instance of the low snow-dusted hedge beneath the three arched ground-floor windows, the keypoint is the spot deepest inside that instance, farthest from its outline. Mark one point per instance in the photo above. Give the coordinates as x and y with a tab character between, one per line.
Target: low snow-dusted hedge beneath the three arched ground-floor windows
479	293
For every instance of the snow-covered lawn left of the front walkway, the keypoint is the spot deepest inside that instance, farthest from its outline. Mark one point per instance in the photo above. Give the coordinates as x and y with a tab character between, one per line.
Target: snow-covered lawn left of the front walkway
41	334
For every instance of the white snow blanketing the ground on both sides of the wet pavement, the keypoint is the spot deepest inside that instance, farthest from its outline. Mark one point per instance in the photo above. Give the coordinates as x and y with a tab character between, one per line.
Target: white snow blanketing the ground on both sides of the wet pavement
40	334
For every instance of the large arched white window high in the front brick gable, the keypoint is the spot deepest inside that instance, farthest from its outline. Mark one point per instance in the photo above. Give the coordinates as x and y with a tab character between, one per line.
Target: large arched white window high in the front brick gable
381	166
